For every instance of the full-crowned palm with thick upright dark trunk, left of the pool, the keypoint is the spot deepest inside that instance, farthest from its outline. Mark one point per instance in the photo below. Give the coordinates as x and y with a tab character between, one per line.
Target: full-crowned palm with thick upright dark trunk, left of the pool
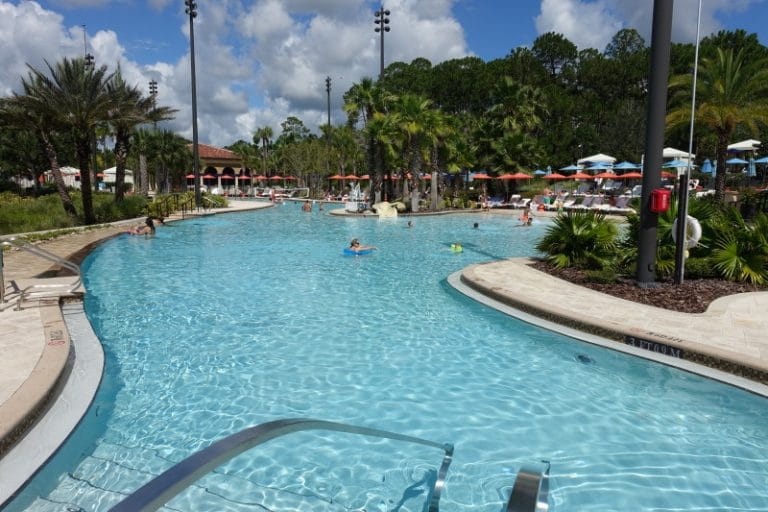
75	96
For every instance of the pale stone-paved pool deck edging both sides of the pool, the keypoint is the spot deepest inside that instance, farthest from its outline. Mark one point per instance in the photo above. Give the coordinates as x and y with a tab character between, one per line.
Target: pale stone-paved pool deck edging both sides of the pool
731	336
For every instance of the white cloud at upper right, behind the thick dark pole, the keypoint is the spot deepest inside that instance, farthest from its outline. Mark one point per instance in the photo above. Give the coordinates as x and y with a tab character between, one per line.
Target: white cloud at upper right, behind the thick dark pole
592	23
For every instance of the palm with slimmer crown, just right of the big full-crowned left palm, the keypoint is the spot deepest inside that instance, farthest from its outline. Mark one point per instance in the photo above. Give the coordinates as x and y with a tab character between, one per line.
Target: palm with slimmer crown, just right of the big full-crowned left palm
129	109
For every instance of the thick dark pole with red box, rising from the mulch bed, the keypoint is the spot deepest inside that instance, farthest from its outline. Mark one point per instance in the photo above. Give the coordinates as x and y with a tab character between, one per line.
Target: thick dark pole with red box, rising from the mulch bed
654	139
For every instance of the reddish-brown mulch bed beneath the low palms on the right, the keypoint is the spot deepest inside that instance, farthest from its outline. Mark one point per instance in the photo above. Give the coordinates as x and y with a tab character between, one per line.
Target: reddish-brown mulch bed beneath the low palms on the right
692	296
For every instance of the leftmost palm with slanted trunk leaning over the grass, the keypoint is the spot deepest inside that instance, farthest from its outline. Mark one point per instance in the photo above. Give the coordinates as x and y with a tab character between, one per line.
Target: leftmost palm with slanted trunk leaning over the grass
30	112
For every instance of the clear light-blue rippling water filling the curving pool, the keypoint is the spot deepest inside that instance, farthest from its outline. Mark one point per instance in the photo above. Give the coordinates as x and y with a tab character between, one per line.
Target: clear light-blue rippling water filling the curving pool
225	322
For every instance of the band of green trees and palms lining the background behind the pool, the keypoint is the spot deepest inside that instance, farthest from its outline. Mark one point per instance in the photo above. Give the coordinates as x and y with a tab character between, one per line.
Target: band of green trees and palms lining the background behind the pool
538	107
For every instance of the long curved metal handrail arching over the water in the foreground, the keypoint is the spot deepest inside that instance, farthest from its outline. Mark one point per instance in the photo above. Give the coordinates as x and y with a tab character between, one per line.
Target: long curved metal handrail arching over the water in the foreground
161	489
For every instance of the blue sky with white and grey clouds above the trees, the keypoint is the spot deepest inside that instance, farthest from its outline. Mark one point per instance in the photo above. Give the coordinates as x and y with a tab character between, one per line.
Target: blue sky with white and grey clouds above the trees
260	61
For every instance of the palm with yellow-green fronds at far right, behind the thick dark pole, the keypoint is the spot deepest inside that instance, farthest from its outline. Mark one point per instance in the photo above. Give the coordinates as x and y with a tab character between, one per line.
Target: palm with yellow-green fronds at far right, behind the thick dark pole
731	91
